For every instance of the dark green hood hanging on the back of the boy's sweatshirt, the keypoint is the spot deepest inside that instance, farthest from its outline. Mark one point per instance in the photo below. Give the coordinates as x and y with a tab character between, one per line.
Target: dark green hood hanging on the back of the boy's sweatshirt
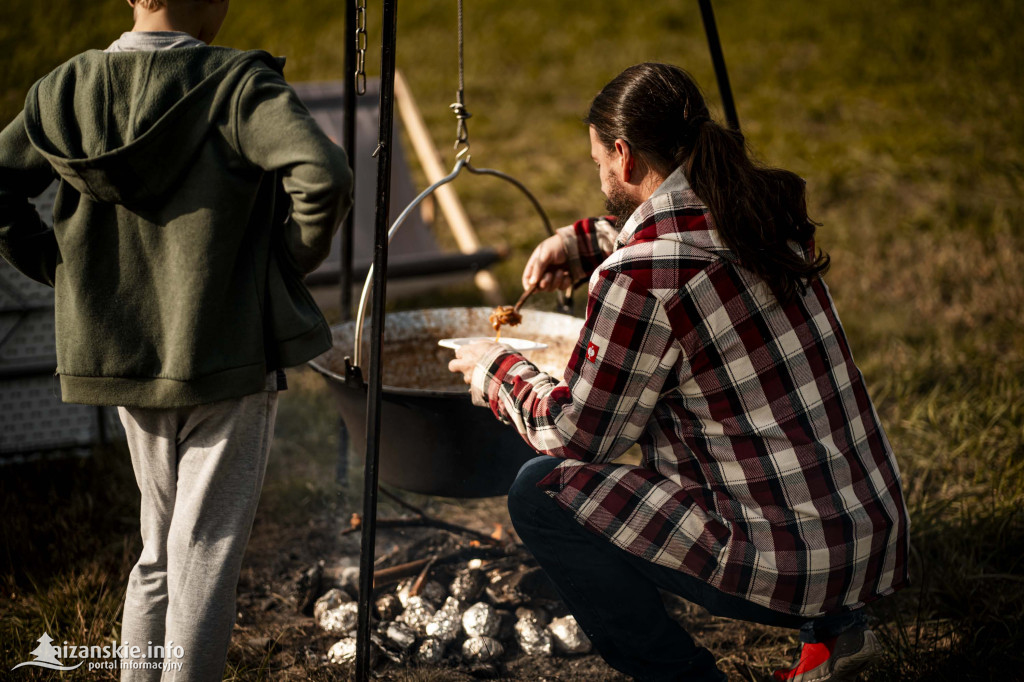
121	127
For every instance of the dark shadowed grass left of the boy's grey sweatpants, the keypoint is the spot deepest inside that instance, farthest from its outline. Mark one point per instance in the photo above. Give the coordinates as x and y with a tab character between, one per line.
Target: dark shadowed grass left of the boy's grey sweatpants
69	537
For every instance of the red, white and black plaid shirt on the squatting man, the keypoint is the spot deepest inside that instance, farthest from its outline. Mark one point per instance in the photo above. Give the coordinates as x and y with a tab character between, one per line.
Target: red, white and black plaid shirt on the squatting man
765	471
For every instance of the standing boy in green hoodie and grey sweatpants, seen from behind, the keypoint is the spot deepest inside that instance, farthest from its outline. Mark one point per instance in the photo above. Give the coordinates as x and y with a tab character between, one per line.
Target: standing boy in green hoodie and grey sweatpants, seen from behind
195	193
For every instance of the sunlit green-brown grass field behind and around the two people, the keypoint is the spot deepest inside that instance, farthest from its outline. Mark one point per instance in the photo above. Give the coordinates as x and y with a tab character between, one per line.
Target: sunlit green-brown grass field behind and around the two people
908	121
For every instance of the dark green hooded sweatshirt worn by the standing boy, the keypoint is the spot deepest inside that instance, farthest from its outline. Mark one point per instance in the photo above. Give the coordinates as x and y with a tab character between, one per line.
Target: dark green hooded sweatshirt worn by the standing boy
195	193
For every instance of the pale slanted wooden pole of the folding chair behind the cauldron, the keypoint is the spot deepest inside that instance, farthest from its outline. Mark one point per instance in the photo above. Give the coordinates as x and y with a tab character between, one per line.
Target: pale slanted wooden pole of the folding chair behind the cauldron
431	160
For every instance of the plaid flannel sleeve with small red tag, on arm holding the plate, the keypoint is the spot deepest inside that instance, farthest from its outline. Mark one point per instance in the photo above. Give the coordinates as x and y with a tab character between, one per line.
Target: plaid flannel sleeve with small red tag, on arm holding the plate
625	353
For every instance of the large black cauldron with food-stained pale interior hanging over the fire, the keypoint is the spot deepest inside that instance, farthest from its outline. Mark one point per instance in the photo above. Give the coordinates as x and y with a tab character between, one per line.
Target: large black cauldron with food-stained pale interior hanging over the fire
434	440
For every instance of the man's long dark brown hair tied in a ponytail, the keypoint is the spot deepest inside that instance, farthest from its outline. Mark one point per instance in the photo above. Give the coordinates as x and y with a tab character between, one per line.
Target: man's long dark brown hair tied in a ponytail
659	110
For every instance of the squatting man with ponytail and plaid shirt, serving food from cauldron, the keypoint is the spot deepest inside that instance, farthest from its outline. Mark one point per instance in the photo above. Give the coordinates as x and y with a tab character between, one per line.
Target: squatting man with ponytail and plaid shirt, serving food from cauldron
767	491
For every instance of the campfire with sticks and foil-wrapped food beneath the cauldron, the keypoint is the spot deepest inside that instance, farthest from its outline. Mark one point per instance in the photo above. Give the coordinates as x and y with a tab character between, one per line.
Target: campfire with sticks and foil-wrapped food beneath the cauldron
450	598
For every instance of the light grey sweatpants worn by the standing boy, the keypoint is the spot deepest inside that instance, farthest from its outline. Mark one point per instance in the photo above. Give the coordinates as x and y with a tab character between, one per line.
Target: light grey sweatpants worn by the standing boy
200	472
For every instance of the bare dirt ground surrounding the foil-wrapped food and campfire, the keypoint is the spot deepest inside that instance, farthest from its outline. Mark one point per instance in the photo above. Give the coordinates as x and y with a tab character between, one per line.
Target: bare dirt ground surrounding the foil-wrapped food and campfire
274	640
